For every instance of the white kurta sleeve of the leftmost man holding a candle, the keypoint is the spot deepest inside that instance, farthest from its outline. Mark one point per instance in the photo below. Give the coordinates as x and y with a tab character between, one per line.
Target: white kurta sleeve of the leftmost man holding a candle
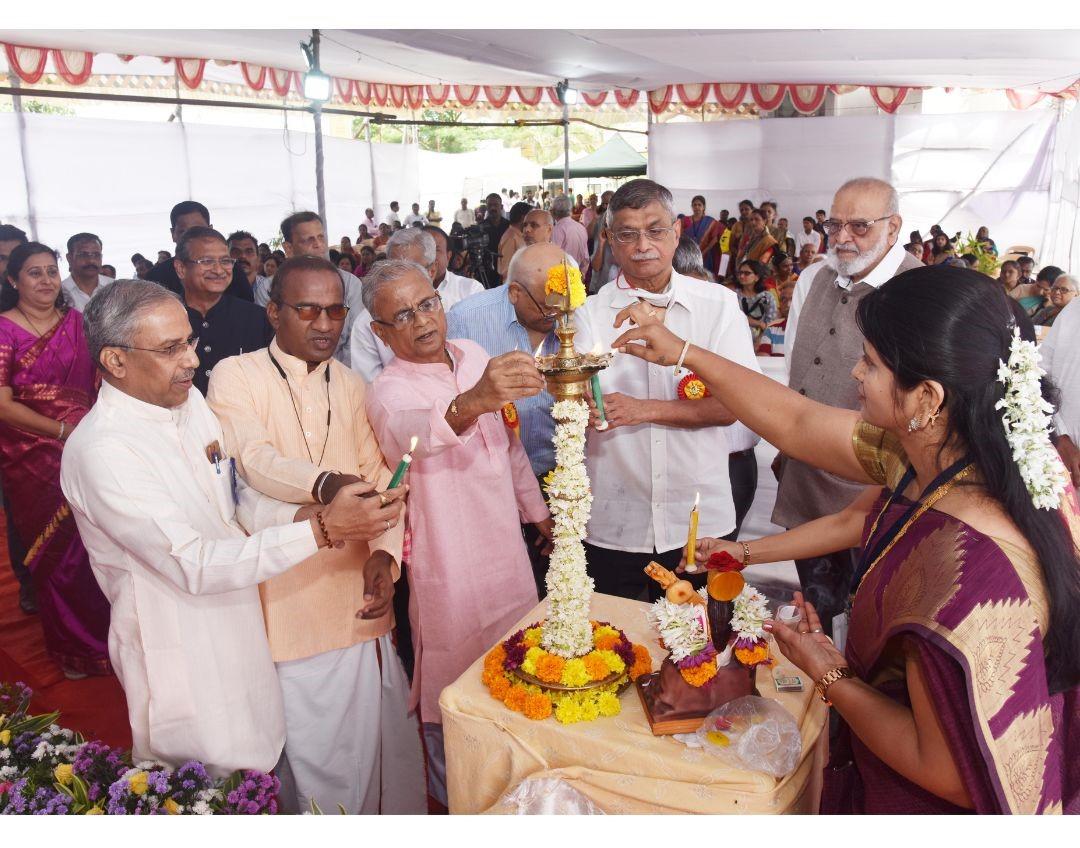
128	501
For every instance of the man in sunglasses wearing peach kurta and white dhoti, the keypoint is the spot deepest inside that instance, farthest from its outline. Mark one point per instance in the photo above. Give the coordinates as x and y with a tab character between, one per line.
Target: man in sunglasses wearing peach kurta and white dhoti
294	419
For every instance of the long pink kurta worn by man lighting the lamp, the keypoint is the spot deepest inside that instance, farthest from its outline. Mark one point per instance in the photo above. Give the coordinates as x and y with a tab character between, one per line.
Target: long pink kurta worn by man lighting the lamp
469	571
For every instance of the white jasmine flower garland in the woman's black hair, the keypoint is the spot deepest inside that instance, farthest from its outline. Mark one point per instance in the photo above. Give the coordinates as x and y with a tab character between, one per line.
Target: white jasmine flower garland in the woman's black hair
1028	422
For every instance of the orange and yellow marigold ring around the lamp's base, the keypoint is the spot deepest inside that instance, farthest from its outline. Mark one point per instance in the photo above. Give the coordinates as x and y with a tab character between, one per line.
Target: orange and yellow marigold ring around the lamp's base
614	658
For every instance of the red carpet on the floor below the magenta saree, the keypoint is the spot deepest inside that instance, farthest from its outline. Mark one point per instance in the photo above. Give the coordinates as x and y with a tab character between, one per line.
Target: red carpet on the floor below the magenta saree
94	707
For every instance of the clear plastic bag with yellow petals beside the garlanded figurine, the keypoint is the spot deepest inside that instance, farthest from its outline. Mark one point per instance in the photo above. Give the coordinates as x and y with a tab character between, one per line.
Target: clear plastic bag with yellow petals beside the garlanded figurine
754	734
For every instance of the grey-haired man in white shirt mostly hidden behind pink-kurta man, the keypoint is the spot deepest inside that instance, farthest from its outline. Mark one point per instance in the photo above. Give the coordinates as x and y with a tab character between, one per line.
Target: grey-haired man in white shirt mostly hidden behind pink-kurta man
427	248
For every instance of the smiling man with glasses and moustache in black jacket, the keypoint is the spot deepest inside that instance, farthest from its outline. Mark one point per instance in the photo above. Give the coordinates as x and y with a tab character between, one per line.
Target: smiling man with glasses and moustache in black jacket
225	326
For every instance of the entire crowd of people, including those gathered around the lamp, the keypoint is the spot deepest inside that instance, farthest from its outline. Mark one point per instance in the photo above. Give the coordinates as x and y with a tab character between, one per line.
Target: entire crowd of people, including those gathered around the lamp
197	468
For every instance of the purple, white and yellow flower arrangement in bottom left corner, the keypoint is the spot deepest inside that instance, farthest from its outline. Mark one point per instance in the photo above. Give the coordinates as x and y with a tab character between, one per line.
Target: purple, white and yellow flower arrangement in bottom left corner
47	770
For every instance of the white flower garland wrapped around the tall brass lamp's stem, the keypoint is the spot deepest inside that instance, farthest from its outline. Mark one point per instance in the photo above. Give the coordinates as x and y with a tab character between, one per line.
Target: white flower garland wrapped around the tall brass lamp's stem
568	631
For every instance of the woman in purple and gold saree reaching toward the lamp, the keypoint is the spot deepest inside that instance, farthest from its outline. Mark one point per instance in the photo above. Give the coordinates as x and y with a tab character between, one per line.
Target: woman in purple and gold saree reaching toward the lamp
960	690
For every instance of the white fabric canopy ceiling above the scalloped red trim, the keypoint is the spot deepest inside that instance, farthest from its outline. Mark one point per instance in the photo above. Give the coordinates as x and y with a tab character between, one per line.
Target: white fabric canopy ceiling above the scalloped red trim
641	60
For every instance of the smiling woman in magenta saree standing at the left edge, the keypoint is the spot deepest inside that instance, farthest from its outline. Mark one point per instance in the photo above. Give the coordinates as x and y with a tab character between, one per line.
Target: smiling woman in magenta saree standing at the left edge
47	386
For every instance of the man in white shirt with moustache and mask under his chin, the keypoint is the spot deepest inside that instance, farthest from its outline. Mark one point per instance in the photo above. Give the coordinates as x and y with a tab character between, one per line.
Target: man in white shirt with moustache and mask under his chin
659	449
